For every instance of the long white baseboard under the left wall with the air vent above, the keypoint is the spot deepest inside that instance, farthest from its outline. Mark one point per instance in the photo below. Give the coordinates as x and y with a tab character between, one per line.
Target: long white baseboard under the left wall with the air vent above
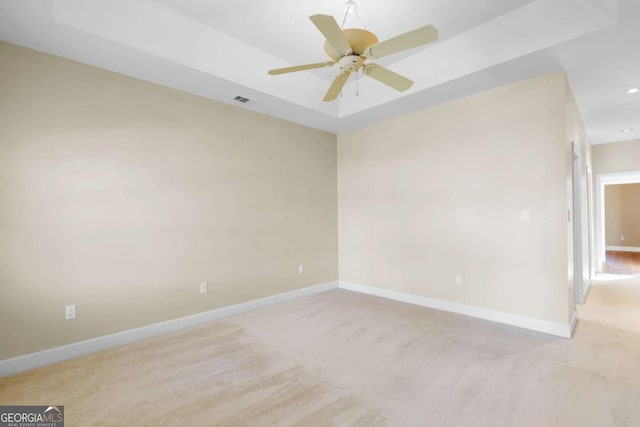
70	351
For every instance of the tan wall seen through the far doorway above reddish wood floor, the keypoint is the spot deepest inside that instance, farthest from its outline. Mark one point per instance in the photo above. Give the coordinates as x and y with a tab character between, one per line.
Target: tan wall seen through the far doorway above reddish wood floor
622	215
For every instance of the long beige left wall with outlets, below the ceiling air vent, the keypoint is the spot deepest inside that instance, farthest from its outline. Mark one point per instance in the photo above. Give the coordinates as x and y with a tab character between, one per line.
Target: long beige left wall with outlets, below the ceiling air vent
120	196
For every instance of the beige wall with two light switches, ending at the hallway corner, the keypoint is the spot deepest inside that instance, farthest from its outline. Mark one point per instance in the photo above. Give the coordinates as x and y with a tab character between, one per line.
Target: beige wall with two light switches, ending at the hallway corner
438	193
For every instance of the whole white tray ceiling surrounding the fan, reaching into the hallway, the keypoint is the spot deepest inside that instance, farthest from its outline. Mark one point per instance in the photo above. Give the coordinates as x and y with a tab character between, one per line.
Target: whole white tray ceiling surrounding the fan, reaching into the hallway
222	49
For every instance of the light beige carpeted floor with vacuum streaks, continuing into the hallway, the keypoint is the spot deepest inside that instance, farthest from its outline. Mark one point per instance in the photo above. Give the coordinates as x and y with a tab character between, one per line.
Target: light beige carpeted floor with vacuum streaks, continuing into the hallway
342	358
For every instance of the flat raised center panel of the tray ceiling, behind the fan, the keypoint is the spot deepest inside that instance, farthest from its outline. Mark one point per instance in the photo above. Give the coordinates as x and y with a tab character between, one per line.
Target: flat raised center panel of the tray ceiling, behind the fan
283	28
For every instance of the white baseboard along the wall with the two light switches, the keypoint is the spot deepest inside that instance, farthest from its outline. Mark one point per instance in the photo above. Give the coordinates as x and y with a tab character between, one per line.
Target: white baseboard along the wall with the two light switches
552	328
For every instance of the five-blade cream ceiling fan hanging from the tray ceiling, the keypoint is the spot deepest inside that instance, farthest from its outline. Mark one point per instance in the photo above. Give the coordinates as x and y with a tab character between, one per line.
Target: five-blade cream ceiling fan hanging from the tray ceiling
351	47
